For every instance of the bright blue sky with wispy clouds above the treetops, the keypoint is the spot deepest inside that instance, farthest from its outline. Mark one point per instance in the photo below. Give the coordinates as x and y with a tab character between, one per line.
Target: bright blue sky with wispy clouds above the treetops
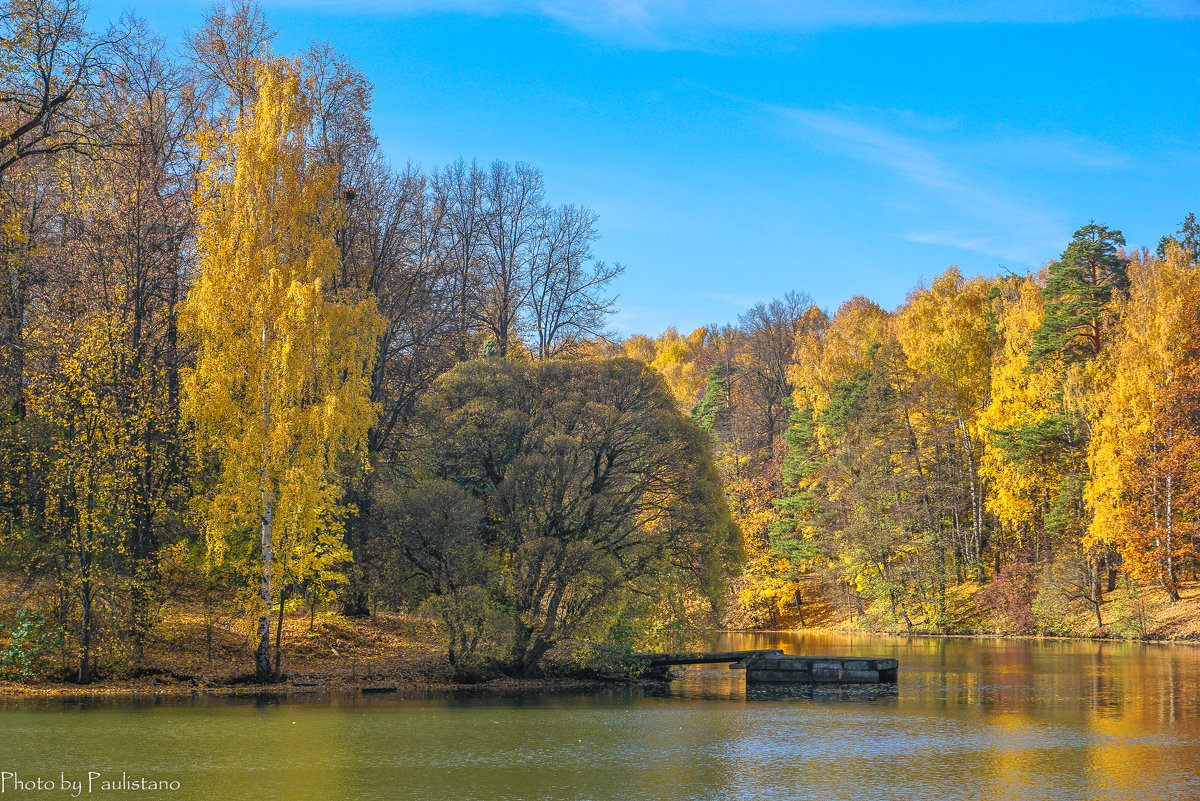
740	150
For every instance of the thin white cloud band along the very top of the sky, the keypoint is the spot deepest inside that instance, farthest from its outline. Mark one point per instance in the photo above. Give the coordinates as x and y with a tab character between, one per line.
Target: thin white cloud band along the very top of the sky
692	23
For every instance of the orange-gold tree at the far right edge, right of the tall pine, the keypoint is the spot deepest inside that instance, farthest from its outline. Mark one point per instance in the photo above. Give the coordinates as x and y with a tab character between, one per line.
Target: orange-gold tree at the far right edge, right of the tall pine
1144	451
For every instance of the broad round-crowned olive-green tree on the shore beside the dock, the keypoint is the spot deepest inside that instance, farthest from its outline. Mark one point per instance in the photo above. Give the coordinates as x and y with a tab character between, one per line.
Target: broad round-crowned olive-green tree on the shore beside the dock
593	485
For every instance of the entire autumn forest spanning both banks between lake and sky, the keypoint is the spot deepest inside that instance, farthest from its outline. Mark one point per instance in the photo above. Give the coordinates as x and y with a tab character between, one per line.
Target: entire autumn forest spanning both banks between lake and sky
249	364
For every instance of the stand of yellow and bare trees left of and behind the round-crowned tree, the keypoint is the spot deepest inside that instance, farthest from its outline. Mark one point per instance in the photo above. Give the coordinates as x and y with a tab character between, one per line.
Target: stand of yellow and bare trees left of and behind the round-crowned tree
221	303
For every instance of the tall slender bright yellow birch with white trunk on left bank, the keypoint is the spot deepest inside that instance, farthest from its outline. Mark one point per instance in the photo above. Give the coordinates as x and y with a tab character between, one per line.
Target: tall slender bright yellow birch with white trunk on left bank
280	390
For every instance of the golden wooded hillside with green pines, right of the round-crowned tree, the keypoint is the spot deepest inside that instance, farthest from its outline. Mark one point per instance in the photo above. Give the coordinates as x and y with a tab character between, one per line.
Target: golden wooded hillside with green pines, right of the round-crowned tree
995	455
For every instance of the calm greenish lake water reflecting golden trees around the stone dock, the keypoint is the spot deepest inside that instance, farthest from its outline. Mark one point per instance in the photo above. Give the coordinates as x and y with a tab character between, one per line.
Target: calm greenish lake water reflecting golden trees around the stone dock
968	720
